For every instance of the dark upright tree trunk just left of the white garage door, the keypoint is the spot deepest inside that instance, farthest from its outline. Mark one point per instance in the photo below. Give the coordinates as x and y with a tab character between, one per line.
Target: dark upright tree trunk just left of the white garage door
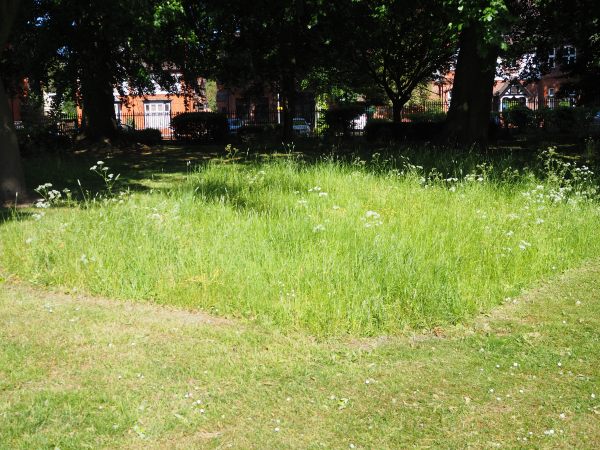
99	122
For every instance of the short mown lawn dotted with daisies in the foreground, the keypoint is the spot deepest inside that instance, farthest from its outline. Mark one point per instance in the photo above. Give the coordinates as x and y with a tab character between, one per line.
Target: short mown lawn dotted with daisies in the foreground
79	372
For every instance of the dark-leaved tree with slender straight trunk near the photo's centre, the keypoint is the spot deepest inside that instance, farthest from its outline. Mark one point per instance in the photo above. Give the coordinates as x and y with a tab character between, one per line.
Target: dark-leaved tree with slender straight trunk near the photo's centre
264	45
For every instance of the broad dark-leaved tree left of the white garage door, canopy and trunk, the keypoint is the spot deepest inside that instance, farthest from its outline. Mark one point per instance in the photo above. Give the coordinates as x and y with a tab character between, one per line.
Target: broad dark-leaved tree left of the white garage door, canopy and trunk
87	49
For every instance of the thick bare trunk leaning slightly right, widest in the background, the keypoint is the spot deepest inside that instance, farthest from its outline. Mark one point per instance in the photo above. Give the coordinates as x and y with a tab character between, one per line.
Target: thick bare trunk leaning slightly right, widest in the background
469	114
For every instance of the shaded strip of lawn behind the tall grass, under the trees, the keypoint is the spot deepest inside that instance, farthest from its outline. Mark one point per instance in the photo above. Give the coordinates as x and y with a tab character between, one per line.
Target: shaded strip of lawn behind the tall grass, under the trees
162	167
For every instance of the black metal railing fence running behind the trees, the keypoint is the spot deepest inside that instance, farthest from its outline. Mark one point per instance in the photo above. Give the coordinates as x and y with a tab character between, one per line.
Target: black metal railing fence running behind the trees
306	122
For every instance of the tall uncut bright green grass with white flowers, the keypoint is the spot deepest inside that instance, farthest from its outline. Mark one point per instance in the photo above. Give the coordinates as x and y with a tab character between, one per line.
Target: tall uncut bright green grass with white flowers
330	247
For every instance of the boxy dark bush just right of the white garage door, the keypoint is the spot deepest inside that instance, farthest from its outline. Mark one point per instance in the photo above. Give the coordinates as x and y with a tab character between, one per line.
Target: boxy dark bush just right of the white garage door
199	126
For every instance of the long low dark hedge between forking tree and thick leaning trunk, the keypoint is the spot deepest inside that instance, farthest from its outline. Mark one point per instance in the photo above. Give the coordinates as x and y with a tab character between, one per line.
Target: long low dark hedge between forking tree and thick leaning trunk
419	131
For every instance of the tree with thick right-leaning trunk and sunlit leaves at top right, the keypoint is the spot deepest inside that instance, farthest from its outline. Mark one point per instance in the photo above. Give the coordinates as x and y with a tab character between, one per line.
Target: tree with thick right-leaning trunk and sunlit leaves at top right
488	29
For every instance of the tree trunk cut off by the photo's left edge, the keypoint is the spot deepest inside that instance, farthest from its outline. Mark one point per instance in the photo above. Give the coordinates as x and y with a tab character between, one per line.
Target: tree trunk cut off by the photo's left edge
12	182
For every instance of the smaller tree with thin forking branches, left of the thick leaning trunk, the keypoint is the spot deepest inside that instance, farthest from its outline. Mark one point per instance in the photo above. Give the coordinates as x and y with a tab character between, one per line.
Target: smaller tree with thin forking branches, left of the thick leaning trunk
392	45
